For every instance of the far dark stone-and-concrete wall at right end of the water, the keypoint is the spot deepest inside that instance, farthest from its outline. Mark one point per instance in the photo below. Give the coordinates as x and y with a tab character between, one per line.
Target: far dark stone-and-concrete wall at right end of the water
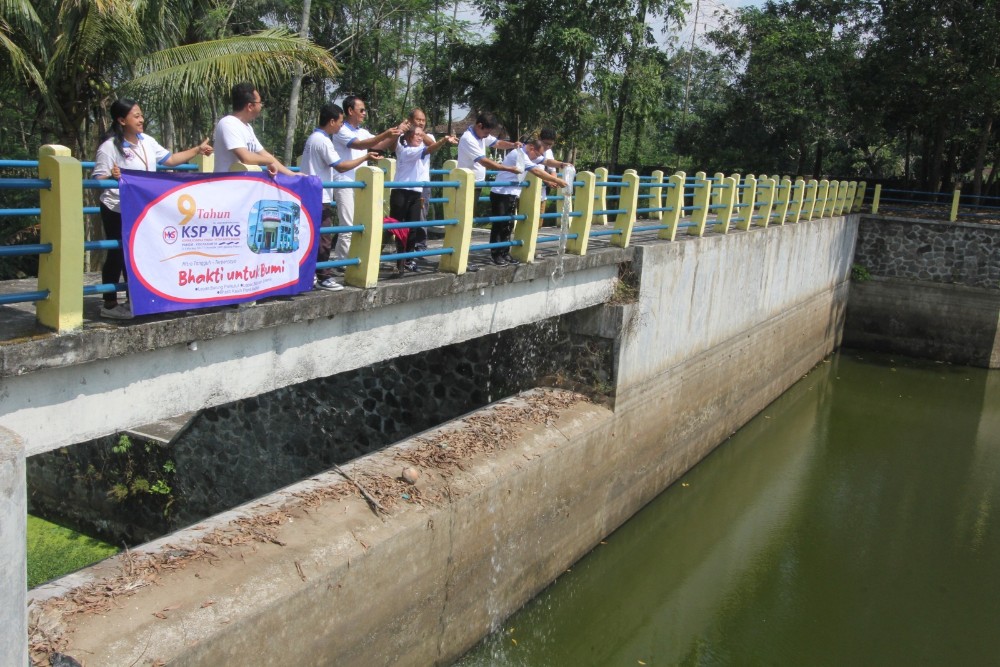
934	290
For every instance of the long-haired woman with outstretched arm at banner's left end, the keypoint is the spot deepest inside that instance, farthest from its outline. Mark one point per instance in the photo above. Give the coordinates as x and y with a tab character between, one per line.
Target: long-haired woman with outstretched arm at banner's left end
125	146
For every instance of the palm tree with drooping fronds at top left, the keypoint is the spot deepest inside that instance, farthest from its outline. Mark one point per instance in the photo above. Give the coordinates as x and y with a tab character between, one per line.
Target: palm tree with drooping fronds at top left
75	55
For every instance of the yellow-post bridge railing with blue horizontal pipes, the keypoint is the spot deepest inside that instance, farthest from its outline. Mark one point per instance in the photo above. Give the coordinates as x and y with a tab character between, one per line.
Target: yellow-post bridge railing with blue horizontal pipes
601	205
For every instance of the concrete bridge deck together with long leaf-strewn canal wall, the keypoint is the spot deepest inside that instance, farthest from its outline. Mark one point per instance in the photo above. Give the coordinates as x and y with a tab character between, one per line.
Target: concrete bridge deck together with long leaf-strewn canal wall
357	567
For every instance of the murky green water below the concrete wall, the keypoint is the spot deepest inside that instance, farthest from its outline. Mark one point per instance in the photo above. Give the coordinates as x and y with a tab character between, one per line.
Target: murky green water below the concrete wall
850	523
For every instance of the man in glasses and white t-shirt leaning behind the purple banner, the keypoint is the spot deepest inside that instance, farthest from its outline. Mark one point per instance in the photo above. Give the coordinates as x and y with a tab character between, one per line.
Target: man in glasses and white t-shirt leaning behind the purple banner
235	140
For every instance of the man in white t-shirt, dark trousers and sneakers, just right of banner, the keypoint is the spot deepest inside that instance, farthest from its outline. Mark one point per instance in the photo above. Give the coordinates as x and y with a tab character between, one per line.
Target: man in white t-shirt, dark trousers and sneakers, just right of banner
319	158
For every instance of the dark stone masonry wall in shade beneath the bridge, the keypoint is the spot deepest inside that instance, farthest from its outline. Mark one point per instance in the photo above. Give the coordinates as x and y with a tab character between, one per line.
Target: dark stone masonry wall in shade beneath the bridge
236	452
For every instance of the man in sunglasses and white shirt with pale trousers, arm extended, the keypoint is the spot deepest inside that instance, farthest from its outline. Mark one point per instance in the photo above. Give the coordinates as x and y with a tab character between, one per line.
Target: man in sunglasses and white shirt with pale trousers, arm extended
351	142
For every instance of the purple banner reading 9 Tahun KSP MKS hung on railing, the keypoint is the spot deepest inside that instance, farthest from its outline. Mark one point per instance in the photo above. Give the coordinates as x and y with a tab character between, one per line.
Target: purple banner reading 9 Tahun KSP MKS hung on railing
201	240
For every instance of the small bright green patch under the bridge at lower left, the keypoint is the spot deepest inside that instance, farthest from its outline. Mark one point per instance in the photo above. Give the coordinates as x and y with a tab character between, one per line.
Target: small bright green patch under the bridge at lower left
54	551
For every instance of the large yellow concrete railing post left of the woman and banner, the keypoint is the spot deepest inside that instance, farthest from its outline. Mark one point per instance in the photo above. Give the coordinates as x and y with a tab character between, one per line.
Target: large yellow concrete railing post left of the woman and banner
61	271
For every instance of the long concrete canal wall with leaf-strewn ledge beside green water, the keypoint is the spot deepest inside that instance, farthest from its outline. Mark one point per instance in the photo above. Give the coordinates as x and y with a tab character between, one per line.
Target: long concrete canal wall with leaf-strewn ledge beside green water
720	327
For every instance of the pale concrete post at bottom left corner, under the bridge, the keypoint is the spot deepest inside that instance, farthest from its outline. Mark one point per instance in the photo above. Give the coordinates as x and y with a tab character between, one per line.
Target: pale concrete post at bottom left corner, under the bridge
13	557
